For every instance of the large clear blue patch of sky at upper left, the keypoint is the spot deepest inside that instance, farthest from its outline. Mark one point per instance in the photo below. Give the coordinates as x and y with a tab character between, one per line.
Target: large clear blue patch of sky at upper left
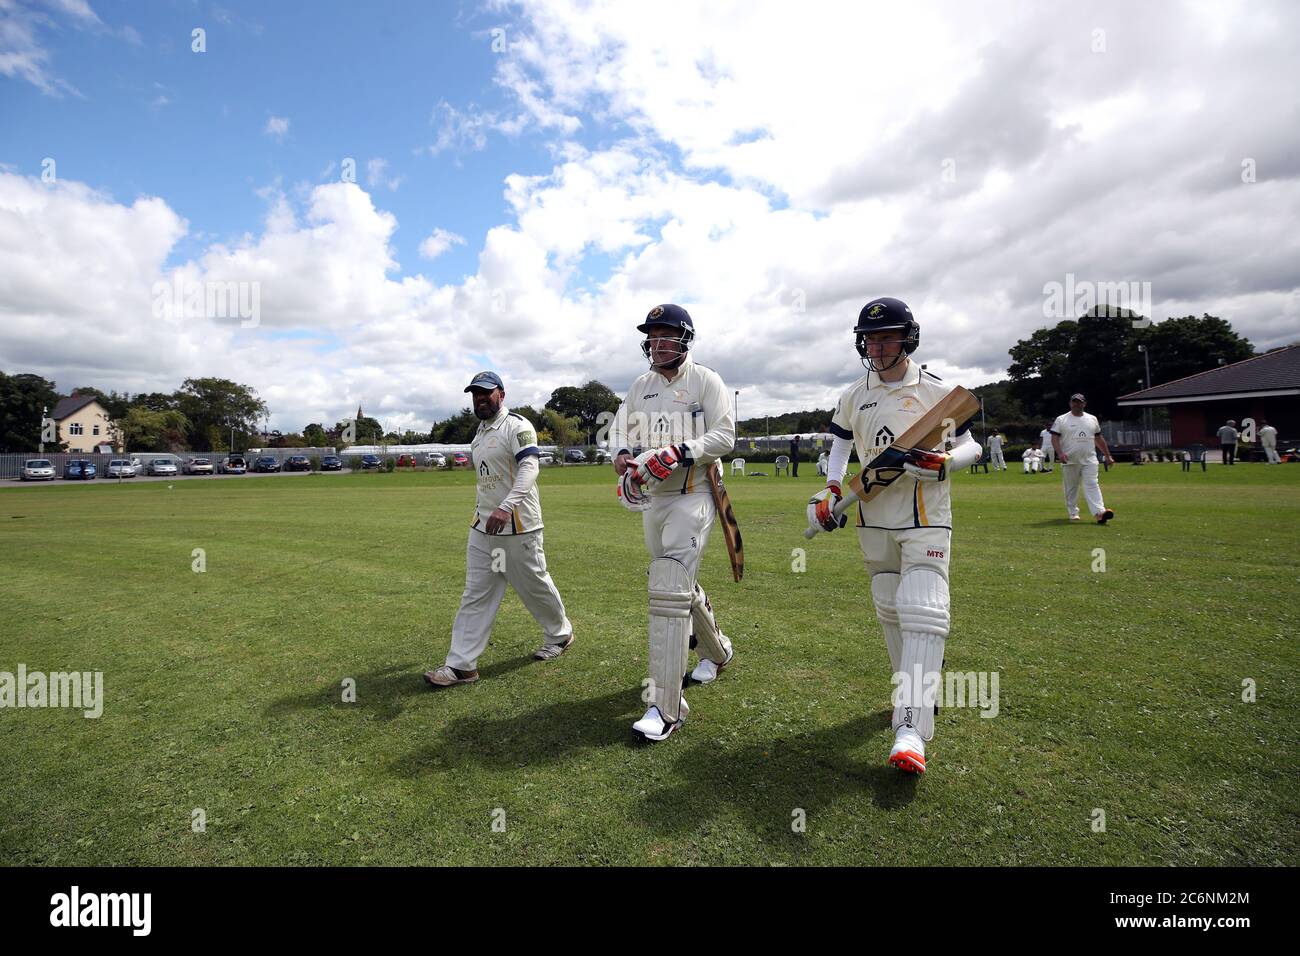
359	81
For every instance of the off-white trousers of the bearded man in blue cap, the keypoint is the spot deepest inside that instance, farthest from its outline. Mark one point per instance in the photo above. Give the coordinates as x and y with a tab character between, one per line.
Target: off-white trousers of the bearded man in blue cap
492	563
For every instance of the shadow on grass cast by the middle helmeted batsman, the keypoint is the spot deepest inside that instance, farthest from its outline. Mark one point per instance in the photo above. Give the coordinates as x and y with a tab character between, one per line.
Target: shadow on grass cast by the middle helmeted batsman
549	736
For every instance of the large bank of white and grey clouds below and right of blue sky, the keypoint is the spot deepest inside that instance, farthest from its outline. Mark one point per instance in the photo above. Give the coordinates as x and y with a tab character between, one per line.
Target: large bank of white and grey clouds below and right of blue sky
770	172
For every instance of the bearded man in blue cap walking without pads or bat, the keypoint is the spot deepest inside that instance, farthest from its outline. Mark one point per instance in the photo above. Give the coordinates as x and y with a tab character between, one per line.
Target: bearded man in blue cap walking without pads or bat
505	540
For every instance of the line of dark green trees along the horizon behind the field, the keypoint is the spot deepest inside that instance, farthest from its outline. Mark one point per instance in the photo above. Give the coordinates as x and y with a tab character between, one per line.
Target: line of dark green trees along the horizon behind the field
1097	354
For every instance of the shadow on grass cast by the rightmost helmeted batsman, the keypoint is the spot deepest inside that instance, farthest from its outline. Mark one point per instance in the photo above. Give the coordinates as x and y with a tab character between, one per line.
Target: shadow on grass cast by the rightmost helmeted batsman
768	782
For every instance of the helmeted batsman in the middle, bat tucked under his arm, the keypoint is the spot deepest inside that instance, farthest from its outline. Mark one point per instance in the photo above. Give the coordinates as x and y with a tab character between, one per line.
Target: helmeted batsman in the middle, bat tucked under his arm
681	414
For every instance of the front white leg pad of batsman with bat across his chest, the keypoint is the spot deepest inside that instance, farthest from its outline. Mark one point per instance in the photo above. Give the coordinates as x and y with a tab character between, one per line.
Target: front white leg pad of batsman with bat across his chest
924	620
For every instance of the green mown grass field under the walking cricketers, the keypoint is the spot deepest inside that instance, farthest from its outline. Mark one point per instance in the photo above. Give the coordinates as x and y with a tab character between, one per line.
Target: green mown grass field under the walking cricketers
1121	691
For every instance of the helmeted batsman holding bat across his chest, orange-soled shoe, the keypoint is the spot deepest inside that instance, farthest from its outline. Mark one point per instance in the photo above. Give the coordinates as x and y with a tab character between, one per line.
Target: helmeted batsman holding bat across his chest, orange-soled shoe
911	432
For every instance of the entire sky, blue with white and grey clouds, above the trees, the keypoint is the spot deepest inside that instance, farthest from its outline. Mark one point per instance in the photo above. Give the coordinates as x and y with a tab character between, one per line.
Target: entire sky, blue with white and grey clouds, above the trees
414	192
